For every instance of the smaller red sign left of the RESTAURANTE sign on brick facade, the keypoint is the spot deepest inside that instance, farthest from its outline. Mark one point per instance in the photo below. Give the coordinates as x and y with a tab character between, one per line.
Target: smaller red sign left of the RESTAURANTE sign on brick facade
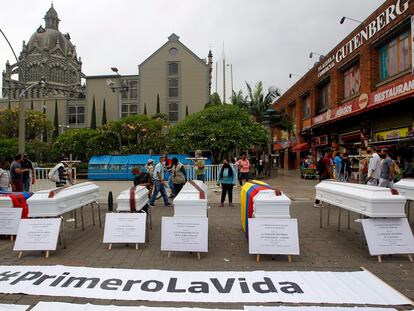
342	110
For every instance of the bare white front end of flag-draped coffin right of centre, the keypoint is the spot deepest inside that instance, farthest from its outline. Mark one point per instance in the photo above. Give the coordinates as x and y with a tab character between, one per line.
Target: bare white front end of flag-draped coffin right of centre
267	204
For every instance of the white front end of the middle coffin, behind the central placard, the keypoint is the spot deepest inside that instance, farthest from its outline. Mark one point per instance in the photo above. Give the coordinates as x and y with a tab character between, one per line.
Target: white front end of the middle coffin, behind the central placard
190	205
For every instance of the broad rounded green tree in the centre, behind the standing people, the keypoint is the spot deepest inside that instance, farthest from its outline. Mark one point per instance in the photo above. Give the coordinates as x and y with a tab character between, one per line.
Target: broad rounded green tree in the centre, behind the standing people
219	129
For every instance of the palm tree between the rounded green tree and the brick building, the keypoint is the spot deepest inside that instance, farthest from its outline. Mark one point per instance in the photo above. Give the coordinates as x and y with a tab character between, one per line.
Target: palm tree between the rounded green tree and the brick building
258	103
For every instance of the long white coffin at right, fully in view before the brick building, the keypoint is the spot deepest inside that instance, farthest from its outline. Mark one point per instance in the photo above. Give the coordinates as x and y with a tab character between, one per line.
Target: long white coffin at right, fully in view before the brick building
367	200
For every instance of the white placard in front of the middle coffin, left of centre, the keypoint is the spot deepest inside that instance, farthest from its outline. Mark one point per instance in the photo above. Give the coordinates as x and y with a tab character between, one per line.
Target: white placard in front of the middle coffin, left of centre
184	234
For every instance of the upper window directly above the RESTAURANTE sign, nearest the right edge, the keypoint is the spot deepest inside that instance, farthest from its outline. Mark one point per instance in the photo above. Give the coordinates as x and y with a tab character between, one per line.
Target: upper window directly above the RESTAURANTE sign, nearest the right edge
395	57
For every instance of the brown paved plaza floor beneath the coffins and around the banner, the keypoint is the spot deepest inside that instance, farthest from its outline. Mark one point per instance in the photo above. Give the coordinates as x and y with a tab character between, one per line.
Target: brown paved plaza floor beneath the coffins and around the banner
323	249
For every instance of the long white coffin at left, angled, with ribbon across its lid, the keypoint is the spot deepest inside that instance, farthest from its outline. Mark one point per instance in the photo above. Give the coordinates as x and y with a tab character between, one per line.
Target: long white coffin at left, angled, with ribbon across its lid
65	200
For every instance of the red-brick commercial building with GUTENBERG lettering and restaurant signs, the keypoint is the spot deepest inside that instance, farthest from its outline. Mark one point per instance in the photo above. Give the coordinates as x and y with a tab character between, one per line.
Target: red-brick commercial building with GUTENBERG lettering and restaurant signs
359	93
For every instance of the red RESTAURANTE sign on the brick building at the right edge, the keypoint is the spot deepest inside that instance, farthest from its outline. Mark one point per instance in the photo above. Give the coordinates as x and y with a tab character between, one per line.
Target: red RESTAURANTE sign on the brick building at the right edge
400	88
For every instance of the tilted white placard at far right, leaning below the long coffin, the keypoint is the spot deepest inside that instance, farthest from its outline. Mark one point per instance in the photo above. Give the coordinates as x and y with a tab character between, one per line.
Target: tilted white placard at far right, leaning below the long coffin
386	236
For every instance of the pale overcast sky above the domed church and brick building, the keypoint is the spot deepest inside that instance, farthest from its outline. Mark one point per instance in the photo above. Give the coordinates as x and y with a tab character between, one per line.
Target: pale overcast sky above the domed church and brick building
263	39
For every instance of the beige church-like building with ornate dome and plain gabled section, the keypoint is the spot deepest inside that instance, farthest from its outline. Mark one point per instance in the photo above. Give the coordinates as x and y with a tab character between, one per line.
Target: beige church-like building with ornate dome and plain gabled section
173	73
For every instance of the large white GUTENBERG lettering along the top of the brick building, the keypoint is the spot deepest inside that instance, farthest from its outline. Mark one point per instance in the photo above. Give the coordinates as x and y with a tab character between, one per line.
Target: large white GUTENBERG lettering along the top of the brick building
390	14
